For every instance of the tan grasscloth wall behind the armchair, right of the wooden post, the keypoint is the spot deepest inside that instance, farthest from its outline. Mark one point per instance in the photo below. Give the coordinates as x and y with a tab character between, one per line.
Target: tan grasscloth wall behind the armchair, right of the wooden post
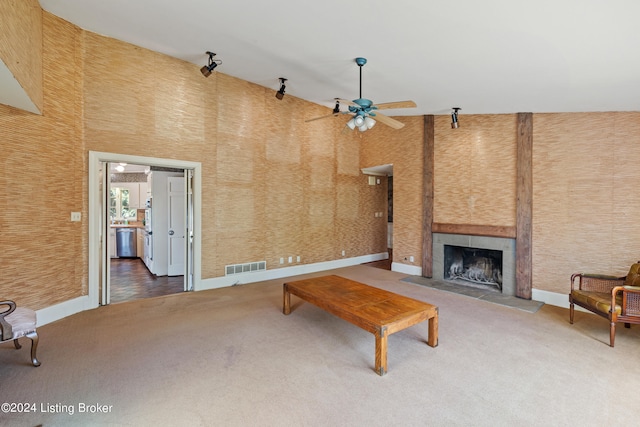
586	212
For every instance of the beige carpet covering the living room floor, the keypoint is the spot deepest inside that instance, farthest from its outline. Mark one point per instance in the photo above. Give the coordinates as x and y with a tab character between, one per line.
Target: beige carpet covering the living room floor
229	357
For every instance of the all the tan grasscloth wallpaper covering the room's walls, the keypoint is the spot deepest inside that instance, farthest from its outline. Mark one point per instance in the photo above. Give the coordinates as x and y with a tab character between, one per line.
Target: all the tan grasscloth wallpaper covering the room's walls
275	186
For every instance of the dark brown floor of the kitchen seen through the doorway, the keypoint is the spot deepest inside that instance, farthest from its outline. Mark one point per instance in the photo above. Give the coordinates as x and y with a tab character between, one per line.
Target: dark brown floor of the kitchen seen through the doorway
130	279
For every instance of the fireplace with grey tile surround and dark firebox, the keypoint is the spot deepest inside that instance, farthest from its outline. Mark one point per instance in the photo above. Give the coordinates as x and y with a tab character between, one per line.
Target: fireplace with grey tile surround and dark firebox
479	261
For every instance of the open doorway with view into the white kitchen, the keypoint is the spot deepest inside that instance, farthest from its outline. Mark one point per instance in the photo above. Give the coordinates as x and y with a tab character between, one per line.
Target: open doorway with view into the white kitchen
134	271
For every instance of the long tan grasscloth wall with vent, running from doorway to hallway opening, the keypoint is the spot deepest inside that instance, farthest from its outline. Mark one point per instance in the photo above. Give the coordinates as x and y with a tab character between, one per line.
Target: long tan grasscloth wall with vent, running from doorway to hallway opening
273	186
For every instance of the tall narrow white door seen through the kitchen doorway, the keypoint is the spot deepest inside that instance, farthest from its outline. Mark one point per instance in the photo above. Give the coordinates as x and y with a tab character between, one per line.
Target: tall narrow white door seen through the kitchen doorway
176	219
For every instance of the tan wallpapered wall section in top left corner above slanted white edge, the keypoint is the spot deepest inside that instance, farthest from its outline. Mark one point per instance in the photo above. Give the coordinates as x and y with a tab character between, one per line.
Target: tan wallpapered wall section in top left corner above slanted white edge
21	47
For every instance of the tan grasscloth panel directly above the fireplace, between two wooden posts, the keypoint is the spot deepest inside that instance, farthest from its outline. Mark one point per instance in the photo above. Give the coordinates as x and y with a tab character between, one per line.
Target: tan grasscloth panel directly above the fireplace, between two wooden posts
475	170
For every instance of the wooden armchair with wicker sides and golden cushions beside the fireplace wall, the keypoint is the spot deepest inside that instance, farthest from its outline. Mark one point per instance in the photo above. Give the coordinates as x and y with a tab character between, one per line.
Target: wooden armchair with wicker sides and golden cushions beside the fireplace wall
614	298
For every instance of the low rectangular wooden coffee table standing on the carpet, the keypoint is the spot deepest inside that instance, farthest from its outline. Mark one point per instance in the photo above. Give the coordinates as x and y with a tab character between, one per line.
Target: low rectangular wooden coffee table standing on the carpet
375	310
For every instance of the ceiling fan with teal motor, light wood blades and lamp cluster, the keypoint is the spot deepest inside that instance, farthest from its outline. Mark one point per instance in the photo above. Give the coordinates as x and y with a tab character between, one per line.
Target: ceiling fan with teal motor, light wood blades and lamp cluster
364	112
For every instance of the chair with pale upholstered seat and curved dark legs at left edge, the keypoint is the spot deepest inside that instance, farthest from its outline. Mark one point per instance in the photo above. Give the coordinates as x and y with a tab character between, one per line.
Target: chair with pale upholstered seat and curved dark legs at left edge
18	322
